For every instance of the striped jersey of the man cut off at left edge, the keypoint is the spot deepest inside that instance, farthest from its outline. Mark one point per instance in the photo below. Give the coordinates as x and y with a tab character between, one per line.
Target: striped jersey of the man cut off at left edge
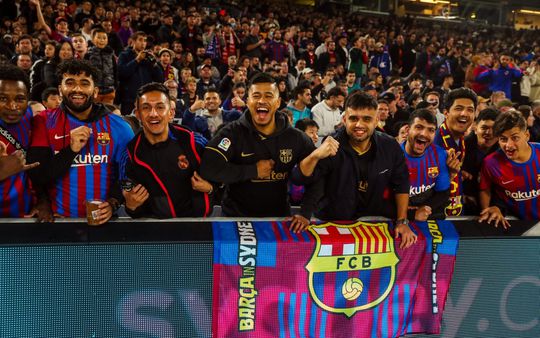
15	190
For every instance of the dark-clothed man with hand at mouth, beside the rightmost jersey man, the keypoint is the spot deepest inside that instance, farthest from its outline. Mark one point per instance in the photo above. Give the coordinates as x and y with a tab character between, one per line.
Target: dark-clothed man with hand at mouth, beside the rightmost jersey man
479	143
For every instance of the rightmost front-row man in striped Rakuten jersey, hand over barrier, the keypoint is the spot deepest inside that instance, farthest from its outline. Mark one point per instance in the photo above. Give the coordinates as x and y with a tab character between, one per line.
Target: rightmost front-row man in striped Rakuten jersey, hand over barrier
512	173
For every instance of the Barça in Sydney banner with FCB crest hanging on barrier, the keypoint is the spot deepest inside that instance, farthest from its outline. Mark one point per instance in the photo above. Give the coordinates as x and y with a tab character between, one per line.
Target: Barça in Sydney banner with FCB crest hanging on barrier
333	280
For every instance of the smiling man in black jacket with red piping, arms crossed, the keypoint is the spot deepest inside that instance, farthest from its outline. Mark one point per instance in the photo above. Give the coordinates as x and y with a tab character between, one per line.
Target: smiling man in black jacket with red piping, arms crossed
163	162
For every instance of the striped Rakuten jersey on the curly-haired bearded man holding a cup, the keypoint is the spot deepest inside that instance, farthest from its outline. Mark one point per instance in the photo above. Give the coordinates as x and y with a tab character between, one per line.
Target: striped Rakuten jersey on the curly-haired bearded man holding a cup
95	167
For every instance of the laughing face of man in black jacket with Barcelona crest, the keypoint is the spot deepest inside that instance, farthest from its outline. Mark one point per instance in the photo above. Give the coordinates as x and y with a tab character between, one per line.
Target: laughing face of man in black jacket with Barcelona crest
263	102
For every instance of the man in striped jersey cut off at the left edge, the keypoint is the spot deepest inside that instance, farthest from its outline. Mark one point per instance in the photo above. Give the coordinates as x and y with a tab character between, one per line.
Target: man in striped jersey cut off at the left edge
15	123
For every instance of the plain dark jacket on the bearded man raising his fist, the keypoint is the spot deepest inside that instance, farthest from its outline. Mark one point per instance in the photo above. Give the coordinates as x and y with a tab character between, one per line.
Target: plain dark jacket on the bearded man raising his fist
335	180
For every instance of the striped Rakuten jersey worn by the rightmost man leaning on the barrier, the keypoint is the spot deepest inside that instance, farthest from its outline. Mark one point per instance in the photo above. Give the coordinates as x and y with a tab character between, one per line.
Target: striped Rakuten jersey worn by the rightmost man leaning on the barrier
516	185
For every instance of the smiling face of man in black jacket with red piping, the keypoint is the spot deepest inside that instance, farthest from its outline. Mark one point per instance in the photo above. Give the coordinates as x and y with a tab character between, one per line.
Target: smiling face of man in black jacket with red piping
154	112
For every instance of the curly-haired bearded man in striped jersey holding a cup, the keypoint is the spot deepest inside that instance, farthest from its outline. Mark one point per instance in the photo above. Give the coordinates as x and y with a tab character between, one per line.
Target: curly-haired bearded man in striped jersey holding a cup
79	145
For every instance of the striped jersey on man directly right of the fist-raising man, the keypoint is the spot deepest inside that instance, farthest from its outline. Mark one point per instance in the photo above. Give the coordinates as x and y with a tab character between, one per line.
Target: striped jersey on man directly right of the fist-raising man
427	173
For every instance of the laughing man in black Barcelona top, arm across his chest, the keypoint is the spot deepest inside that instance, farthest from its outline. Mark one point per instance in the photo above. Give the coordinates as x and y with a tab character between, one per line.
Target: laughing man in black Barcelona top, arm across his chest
254	156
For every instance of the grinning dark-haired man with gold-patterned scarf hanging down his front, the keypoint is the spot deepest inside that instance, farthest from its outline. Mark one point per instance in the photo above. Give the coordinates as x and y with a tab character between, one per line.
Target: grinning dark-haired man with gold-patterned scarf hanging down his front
460	105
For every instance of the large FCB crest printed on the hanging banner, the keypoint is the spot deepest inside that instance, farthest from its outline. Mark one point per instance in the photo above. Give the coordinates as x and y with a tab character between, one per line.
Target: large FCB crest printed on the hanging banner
353	267
